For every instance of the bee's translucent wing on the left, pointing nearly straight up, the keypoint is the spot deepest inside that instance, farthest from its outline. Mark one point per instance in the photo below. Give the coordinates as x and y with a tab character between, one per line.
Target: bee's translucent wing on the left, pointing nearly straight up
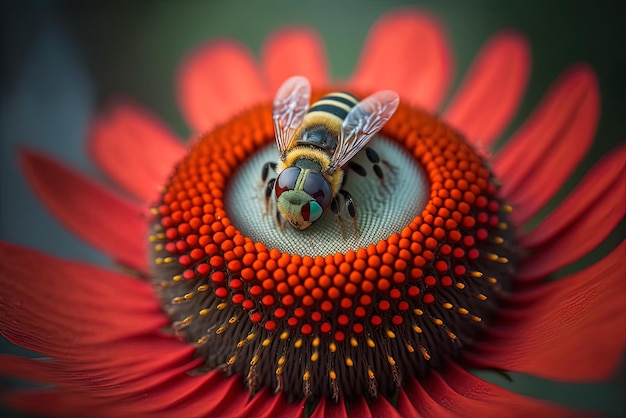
290	106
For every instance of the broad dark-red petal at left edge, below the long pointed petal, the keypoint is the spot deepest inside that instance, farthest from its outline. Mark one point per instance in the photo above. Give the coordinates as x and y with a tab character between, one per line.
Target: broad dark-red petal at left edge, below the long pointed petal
58	307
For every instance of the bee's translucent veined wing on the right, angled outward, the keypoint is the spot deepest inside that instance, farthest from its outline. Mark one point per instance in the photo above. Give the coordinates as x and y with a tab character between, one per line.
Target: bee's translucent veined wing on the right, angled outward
361	124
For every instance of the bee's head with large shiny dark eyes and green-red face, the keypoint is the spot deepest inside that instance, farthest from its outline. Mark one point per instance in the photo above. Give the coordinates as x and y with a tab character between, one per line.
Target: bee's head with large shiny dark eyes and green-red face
302	196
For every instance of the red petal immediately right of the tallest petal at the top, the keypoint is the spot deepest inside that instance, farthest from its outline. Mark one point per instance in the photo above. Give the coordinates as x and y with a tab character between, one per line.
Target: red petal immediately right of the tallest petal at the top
492	91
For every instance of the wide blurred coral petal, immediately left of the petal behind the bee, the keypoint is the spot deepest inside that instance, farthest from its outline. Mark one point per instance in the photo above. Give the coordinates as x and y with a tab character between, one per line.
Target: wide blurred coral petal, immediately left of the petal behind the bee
217	81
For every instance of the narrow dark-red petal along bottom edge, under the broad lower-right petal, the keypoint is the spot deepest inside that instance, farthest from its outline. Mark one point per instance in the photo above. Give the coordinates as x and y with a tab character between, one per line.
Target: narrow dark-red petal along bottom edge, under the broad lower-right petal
467	395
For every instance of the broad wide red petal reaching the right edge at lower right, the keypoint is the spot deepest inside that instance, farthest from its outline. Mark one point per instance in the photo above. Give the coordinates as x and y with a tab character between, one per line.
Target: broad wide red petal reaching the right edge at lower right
568	330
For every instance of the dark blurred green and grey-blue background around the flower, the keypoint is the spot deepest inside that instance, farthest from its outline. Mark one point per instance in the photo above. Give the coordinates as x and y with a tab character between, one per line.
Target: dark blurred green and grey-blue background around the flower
62	60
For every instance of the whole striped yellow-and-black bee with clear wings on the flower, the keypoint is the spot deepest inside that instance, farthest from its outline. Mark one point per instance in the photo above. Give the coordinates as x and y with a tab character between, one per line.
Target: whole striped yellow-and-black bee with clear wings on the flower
316	143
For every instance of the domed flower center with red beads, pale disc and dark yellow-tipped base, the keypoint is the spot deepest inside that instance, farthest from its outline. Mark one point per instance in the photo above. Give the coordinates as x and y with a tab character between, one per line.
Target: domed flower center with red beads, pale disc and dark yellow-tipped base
384	290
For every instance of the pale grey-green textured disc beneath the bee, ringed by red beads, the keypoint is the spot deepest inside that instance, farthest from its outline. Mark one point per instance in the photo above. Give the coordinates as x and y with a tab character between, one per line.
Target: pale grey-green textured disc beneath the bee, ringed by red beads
383	207
